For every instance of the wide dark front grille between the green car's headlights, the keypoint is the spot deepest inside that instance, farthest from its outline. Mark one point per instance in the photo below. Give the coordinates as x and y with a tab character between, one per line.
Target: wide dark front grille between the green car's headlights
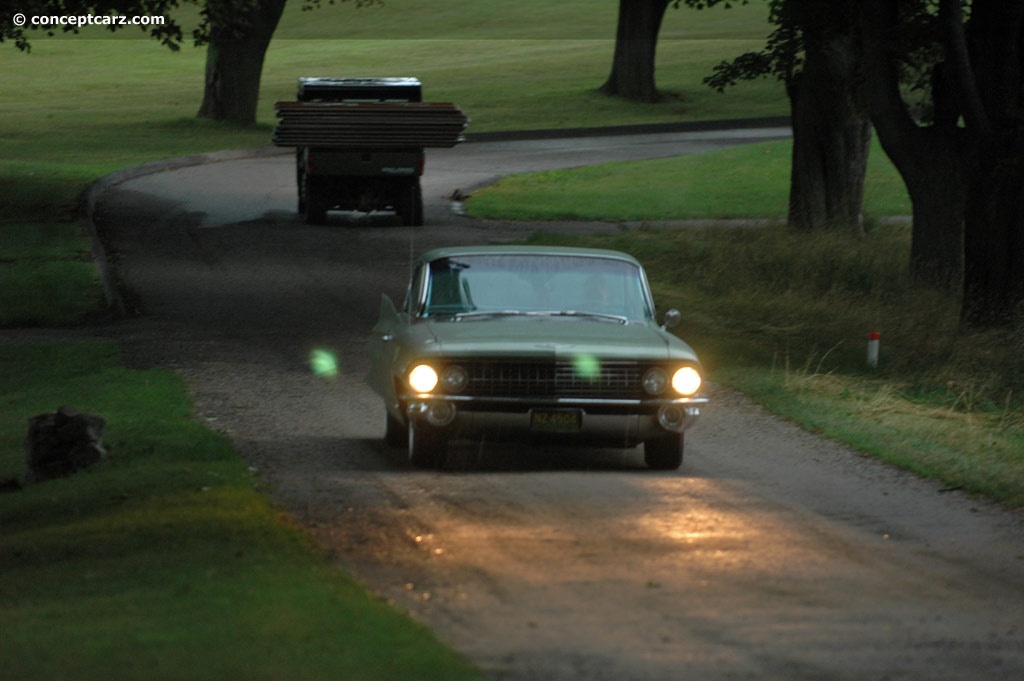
584	379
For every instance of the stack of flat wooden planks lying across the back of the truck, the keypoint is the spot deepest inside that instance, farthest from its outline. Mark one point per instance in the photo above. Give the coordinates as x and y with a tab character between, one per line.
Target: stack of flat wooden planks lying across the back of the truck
369	125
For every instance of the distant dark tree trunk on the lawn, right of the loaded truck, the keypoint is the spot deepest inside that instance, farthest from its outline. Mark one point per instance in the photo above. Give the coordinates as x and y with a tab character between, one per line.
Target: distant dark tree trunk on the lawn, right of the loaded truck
636	41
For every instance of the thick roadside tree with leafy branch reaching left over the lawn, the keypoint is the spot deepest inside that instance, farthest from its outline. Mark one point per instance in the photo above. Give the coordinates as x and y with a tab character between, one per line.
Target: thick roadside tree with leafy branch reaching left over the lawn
817	54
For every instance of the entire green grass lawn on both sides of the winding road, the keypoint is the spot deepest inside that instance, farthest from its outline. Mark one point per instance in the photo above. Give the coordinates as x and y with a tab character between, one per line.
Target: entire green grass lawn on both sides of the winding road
166	562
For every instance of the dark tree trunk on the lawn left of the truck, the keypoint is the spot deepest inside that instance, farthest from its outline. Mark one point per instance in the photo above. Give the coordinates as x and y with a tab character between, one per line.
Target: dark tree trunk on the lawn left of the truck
235	64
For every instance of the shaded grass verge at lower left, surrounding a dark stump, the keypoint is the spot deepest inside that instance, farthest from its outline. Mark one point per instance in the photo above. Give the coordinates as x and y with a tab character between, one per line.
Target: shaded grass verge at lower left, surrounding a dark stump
165	562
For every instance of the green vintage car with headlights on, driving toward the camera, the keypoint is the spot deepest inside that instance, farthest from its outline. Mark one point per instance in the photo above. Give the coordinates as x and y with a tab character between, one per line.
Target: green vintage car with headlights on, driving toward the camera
538	344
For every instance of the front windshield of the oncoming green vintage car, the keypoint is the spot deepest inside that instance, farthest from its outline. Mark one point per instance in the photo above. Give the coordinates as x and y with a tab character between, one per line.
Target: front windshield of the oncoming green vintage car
532	284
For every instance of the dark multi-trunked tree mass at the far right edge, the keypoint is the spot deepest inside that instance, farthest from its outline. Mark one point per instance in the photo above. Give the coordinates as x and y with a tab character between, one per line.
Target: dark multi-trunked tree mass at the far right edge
964	167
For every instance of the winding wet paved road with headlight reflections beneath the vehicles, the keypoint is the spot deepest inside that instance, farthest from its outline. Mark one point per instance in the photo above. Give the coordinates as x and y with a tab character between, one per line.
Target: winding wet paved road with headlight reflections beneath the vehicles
772	555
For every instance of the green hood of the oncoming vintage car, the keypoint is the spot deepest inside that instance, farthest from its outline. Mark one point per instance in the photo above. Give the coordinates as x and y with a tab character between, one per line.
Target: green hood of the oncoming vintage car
550	337
